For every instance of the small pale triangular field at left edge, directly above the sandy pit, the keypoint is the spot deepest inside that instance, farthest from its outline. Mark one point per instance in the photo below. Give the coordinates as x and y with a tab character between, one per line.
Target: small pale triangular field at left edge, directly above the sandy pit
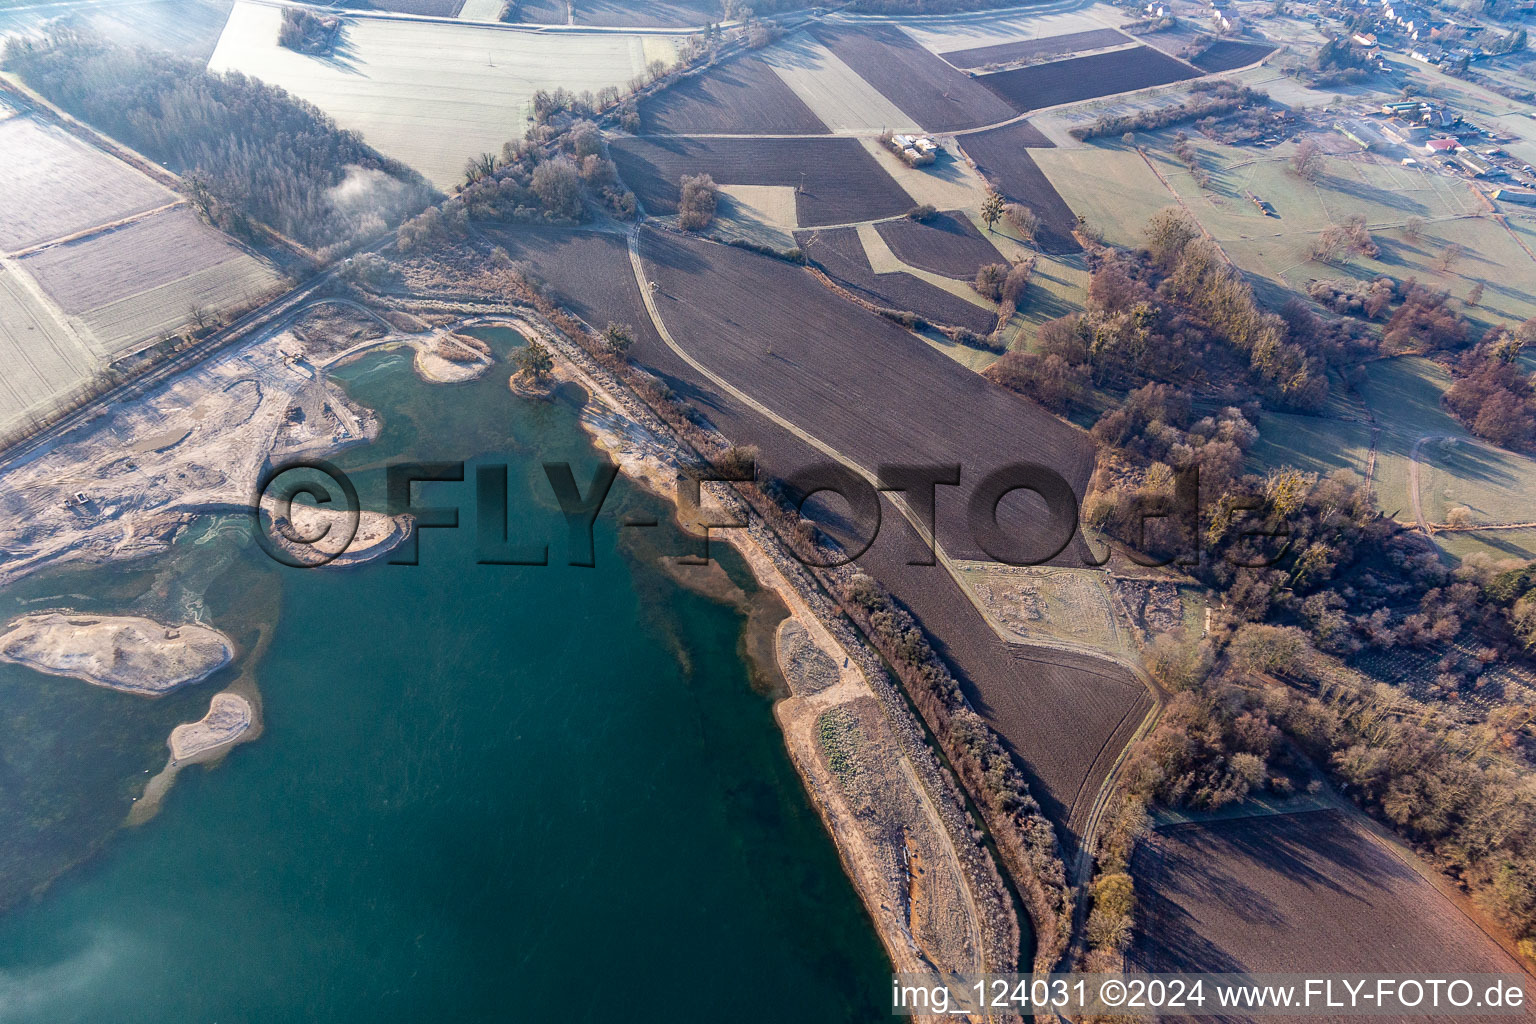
44	358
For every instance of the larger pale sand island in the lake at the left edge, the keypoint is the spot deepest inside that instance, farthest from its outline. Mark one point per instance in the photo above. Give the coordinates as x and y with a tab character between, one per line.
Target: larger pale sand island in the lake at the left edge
127	653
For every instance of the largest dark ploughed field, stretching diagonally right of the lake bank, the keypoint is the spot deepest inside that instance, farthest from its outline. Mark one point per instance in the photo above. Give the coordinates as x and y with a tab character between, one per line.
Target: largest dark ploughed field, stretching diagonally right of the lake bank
878	394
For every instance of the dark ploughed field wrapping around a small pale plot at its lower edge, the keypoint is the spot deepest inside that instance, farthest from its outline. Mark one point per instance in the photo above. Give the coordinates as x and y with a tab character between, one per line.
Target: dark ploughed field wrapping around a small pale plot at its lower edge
838	182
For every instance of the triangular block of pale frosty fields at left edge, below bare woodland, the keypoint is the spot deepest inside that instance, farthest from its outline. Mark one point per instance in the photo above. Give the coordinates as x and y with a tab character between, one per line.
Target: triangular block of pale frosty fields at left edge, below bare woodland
133	273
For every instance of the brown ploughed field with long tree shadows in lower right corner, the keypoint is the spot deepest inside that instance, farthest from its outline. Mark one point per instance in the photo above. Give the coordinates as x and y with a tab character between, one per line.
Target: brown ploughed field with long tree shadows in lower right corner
1288	893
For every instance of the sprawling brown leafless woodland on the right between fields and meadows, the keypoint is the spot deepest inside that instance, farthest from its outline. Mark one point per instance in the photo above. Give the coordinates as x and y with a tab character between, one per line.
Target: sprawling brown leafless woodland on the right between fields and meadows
1309	578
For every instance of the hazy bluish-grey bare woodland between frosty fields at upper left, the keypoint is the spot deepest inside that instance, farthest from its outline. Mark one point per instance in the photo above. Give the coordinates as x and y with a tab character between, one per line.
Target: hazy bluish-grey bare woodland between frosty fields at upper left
250	151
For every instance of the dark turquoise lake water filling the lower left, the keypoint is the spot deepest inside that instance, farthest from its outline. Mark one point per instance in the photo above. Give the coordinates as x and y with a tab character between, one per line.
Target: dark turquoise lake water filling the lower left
482	794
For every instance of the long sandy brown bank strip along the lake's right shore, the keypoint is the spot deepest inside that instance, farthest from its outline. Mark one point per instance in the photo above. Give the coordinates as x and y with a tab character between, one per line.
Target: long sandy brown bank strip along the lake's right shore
924	896
